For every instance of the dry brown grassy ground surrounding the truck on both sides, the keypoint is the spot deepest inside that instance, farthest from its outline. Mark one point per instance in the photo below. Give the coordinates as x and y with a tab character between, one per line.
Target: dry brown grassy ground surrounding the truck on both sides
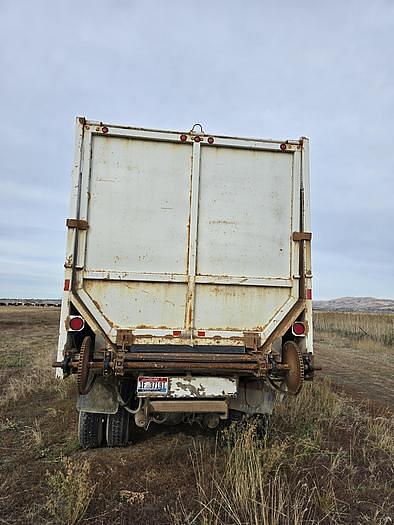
328	456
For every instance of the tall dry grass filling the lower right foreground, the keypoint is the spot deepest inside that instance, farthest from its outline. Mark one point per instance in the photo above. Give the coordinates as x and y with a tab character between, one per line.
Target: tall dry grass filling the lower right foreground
321	462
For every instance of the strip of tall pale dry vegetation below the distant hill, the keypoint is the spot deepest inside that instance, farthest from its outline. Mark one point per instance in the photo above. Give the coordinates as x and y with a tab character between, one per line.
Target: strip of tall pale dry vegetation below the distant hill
376	327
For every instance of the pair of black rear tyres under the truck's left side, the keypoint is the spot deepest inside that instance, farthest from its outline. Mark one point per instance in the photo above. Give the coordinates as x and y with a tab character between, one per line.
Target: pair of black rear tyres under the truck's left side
96	430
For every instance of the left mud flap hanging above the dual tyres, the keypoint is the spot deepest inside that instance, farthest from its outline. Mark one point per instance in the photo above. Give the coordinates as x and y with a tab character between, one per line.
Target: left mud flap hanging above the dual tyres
101	399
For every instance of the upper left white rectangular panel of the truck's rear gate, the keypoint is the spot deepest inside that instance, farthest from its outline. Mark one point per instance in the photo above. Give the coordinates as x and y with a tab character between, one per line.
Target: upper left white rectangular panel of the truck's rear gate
138	206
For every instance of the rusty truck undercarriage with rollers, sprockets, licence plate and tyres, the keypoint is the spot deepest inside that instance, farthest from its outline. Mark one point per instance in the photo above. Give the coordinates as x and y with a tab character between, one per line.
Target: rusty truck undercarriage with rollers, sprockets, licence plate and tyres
126	386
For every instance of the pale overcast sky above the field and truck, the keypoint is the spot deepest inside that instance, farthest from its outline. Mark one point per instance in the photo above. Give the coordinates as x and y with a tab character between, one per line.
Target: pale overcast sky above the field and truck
254	68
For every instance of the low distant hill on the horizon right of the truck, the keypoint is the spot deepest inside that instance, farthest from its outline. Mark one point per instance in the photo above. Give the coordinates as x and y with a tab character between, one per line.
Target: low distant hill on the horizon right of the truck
356	304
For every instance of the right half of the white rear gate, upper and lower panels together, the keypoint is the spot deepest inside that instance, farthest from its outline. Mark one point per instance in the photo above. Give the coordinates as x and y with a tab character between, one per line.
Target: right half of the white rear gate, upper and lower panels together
245	234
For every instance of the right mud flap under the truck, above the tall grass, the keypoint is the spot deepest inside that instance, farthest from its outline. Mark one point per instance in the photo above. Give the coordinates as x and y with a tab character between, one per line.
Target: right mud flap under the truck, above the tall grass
254	397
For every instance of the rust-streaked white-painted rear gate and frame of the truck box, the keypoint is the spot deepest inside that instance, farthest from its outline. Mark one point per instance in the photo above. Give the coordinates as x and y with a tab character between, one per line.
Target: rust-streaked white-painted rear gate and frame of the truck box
186	236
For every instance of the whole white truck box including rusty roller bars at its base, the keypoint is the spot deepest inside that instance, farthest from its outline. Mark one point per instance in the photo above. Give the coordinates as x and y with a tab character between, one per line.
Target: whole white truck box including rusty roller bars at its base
185	244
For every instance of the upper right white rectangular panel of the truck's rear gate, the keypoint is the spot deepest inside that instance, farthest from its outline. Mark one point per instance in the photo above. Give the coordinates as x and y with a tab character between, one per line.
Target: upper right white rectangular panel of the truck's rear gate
245	213
